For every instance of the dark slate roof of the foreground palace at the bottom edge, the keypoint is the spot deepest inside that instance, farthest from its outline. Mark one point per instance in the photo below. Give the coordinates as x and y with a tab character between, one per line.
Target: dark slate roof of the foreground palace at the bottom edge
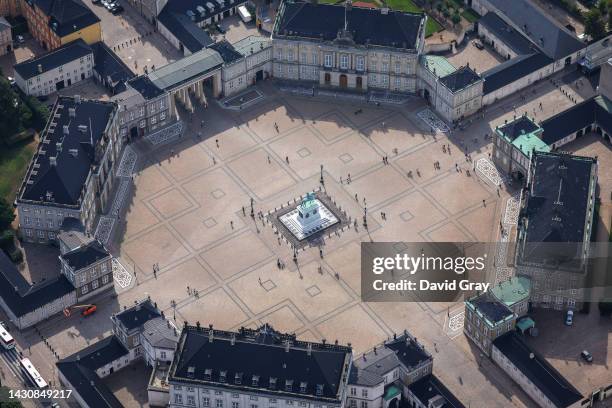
253	357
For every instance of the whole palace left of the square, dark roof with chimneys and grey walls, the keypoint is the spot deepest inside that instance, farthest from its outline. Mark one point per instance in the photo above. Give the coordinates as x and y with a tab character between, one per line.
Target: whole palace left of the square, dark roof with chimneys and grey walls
77	128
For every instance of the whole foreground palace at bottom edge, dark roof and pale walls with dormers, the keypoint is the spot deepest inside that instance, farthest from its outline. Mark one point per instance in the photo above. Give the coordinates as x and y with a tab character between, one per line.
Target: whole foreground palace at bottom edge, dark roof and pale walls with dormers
256	368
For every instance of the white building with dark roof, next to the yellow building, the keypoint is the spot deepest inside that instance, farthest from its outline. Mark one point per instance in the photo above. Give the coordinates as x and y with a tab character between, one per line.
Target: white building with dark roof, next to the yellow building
55	70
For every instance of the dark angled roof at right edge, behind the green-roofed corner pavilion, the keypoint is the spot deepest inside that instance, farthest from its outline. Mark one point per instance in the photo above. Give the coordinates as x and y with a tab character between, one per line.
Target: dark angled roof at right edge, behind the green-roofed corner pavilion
593	110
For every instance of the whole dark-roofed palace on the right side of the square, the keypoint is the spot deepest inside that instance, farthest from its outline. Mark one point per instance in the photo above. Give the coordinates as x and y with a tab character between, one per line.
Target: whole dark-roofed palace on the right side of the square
554	229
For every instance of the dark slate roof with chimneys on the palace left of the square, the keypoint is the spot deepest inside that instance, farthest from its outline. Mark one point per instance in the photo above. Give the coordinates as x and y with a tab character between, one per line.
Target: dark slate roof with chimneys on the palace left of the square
63	182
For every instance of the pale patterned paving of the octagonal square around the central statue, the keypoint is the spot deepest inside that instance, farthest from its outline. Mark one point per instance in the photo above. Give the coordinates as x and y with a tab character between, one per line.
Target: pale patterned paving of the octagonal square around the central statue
188	210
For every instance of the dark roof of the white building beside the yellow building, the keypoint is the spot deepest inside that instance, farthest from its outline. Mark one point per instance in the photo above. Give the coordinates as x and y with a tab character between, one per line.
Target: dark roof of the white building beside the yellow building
51	60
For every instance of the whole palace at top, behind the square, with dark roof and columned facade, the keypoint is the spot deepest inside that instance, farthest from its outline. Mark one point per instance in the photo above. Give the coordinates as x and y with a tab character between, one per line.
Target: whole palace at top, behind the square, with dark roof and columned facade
345	54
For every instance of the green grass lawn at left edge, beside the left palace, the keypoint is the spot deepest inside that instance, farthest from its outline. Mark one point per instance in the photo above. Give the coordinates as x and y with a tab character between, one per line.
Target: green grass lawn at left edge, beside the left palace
13	165
